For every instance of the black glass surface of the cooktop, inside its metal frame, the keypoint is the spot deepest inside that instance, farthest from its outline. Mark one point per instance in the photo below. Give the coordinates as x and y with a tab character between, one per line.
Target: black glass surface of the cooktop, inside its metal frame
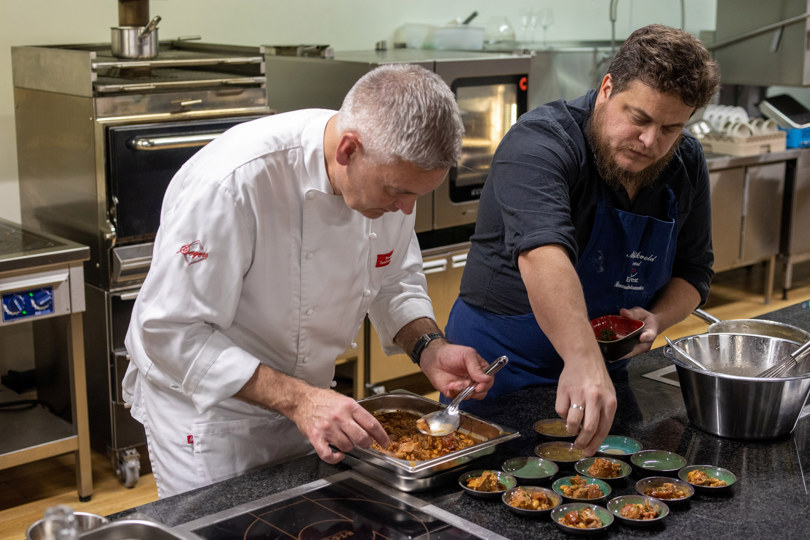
347	509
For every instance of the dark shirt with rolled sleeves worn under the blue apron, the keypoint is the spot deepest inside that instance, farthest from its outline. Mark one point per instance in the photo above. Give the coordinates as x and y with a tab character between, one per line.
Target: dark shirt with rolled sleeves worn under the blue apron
543	188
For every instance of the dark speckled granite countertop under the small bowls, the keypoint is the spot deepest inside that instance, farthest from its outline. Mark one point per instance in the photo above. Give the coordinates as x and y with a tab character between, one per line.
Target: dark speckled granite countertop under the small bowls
770	498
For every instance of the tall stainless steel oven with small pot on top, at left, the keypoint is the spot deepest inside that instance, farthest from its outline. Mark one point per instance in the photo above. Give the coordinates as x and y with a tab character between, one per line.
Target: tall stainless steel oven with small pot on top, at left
98	139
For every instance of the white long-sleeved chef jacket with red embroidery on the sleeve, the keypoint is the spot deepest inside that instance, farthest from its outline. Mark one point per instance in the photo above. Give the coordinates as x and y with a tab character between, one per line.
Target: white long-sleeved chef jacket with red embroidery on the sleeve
257	260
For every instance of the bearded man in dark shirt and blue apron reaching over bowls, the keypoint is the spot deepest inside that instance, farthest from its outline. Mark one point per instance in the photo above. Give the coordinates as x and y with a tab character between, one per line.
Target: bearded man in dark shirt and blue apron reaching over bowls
595	206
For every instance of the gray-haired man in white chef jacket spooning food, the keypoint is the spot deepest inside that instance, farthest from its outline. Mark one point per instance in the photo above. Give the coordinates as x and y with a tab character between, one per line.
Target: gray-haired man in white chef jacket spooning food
275	241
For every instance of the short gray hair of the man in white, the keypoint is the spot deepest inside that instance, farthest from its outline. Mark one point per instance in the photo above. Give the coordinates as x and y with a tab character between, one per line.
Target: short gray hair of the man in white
404	112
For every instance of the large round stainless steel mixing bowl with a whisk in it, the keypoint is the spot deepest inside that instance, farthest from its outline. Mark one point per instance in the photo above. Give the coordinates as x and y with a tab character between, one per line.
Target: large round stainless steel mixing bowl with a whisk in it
728	400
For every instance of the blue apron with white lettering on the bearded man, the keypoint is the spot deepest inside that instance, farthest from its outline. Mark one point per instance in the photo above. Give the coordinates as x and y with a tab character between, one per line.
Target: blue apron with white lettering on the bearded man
628	259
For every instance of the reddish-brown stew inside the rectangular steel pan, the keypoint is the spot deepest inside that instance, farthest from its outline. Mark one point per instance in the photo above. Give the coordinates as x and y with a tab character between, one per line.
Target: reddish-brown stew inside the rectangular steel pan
409	444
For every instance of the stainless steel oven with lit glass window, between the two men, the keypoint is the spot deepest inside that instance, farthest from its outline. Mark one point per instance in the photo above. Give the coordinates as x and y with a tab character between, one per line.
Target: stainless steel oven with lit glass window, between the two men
491	90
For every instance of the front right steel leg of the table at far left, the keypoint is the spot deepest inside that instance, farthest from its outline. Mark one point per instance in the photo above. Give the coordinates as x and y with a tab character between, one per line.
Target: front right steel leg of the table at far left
78	385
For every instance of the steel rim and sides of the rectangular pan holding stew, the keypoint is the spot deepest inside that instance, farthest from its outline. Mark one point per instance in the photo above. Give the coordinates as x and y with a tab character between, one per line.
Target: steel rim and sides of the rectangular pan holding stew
420	475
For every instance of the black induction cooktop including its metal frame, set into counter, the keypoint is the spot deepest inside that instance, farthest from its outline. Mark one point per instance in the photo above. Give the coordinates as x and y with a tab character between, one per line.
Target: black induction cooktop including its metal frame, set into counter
343	506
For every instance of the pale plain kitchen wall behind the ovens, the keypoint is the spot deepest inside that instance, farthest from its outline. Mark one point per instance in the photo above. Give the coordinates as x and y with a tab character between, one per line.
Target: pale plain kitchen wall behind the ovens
344	24
